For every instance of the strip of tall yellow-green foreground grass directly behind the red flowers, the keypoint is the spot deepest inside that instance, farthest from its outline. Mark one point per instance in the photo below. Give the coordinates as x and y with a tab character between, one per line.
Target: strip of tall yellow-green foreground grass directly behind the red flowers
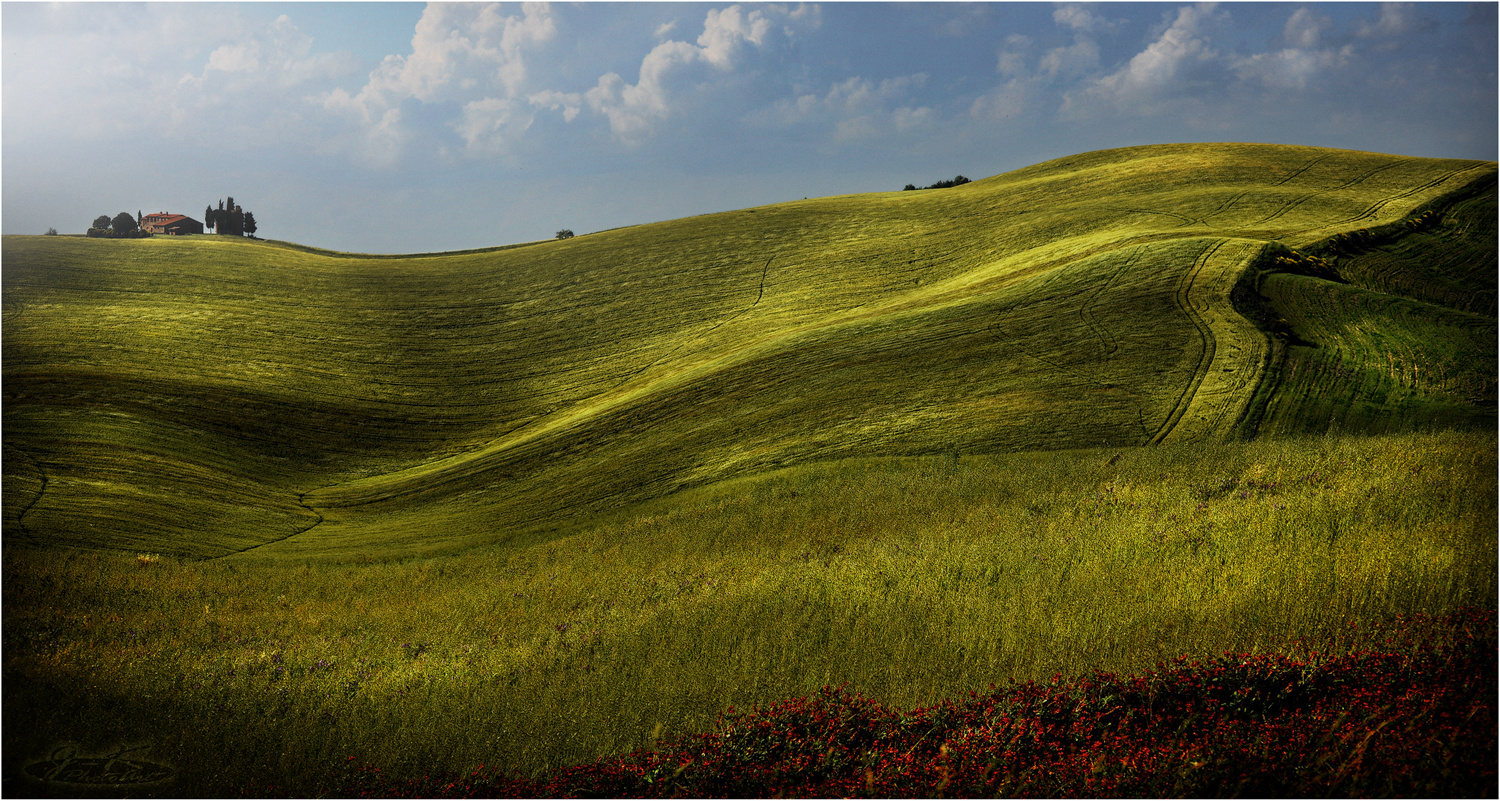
910	580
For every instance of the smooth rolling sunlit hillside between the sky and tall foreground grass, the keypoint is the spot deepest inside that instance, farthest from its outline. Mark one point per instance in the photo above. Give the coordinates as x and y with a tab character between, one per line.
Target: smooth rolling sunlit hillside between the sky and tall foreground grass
209	397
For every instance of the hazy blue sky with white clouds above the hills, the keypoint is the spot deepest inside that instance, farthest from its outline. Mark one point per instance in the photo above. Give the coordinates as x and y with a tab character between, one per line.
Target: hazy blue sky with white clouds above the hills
409	128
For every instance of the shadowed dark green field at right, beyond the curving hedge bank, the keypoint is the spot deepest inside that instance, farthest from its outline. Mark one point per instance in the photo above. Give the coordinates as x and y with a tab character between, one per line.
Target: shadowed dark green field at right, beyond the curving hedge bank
1393	331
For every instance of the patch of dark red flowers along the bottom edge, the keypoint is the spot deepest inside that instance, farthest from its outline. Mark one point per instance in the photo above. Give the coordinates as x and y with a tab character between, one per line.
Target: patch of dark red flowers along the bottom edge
1415	718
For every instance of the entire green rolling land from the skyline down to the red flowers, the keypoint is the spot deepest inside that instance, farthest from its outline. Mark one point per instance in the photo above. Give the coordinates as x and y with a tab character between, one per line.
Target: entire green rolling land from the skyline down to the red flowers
541	503
